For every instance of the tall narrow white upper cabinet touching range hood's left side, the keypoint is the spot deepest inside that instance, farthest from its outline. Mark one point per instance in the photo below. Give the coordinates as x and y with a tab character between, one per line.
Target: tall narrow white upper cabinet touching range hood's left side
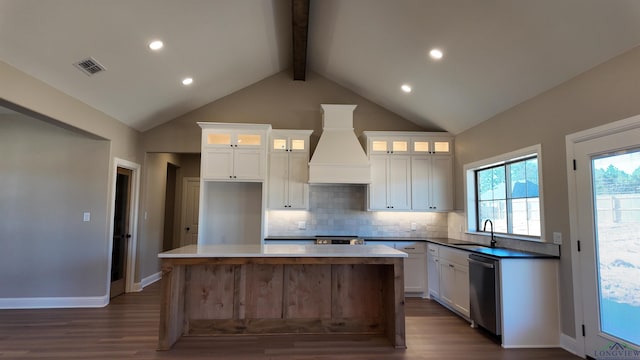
289	169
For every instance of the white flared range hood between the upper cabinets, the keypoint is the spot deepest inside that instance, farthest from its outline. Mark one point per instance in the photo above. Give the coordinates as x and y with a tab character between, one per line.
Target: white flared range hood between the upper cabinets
339	157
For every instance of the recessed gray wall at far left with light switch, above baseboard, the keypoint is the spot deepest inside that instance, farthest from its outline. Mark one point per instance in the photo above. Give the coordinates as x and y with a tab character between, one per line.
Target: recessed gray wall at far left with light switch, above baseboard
49	177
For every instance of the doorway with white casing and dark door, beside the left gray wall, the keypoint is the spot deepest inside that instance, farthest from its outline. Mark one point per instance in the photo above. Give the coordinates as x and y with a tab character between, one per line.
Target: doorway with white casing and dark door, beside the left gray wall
123	227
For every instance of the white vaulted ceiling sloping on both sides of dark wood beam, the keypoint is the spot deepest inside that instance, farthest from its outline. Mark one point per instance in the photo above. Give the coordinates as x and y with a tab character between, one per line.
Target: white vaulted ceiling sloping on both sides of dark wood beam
498	53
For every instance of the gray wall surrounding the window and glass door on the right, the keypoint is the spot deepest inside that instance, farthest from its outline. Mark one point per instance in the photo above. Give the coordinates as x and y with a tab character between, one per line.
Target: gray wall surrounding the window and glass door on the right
606	93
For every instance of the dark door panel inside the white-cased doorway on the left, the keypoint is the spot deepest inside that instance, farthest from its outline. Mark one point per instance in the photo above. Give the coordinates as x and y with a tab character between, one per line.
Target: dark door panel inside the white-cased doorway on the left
121	232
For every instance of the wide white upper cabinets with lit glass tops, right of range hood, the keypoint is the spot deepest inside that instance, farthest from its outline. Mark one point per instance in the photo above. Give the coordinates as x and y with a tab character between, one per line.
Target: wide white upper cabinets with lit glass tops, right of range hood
410	170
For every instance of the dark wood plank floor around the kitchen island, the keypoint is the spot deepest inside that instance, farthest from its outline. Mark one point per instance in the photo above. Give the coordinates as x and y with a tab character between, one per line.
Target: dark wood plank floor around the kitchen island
128	328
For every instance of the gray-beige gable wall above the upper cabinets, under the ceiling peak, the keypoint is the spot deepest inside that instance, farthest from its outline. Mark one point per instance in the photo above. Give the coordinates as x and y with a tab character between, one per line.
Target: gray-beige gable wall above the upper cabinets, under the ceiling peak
276	100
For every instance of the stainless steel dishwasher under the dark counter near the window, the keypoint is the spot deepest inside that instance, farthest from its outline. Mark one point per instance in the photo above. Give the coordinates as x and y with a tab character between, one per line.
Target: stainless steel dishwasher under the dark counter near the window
484	293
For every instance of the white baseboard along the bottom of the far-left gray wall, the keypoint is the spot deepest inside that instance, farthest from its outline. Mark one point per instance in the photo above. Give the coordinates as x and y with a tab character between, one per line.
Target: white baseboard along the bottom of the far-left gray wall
54	302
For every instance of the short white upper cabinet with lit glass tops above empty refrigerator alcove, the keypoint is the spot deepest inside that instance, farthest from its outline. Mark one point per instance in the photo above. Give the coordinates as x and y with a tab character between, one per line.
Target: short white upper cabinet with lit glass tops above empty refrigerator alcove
232	152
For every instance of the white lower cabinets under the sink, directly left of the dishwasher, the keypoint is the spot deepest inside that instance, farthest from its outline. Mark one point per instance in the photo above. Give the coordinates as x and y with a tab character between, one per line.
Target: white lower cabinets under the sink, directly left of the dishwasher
450	286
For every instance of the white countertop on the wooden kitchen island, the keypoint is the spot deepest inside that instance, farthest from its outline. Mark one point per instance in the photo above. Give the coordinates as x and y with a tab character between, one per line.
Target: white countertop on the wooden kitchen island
282	250
